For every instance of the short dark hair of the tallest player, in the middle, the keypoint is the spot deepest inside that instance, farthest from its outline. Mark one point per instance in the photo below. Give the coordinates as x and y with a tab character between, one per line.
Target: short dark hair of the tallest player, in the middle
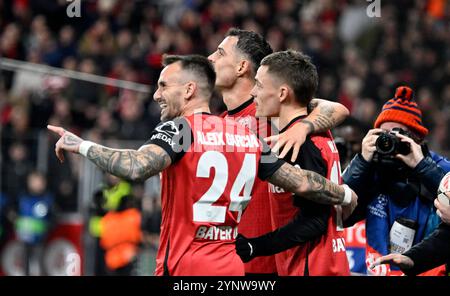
253	45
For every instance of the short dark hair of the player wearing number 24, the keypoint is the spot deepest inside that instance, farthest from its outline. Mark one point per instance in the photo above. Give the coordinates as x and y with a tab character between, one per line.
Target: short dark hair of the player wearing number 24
200	66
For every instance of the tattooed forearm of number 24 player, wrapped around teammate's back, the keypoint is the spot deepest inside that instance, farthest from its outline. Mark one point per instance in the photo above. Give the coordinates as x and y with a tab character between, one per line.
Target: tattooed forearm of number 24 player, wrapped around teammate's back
310	185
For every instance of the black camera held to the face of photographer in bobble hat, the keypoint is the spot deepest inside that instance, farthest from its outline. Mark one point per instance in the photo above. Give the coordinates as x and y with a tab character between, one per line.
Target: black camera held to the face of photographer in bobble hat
388	144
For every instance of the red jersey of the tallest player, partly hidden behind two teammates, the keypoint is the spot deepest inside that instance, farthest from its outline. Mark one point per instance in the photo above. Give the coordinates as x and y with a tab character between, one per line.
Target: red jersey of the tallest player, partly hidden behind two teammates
256	221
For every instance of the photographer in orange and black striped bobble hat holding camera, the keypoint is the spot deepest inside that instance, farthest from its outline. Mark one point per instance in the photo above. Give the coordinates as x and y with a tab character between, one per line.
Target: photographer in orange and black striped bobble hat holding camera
394	176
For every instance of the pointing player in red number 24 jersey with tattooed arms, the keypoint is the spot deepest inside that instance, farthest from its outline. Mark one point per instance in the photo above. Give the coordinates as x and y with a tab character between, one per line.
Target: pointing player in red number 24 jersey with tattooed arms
208	164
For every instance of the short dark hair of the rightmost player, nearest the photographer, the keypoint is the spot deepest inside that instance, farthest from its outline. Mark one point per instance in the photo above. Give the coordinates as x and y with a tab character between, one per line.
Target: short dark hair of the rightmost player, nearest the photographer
295	69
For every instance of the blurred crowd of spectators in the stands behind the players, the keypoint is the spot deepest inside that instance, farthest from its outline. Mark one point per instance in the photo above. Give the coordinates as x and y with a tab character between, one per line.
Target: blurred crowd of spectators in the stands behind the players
360	59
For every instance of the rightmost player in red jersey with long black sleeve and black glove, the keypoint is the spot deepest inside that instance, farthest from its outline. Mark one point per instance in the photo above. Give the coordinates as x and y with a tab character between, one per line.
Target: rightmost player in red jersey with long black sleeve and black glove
307	239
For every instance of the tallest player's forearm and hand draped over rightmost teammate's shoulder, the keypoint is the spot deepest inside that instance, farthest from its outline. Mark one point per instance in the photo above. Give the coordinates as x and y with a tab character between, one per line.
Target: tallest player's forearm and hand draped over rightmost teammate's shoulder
324	115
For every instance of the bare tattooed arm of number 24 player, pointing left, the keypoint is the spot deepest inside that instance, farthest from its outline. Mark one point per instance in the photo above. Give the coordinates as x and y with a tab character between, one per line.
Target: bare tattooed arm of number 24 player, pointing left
134	165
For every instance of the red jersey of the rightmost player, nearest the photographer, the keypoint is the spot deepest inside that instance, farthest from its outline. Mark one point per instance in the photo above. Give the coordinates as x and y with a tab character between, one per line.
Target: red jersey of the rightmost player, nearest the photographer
325	255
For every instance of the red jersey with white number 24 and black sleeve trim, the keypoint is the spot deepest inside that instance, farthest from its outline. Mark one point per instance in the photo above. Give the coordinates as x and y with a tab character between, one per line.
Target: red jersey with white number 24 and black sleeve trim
204	193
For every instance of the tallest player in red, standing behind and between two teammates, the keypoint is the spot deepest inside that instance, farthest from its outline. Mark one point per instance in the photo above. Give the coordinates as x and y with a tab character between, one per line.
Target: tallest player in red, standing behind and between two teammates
236	60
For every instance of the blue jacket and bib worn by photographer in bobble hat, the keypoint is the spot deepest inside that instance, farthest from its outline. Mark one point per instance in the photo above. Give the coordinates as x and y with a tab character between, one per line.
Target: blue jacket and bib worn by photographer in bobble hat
384	197
